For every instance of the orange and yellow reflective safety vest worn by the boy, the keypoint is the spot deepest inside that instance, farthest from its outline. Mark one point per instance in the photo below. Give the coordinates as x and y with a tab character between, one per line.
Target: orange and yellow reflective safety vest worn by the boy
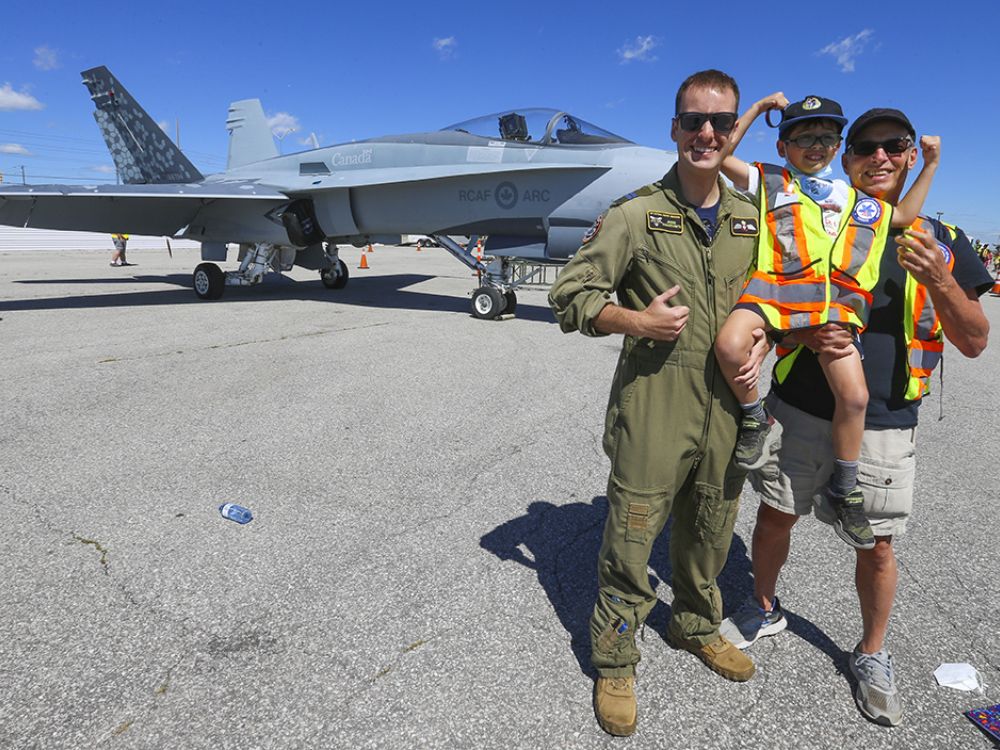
805	277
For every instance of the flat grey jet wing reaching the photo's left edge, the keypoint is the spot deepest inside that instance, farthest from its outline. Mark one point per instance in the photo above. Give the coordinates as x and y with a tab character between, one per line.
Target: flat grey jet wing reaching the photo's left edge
163	209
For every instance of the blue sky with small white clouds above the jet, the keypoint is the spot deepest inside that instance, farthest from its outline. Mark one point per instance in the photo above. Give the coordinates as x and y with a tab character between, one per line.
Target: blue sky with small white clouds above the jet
353	71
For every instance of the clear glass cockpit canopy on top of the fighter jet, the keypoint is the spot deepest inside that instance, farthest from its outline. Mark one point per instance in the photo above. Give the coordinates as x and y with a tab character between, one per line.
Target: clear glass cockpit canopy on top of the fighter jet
541	126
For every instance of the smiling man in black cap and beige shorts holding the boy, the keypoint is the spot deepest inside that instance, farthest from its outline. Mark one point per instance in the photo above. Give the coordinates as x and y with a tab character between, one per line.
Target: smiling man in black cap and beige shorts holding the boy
928	288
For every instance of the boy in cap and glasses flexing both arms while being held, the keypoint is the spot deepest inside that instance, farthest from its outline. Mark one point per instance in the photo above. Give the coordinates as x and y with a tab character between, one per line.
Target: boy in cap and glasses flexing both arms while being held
818	253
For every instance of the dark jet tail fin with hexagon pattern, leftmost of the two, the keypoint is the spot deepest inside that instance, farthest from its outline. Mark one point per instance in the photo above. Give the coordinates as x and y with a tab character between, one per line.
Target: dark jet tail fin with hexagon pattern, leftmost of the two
142	152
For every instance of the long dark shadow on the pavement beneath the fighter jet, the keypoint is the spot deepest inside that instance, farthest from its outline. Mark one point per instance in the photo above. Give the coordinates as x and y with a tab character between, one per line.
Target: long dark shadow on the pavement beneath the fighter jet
384	292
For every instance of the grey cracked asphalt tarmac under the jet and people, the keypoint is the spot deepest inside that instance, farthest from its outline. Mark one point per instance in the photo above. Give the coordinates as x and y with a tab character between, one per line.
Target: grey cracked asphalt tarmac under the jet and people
428	493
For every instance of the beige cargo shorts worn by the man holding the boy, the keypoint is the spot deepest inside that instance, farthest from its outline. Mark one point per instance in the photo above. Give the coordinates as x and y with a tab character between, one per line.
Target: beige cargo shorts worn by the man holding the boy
801	463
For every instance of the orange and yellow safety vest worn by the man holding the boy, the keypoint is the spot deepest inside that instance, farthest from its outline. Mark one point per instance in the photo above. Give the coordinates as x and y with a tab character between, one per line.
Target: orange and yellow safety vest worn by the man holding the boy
921	327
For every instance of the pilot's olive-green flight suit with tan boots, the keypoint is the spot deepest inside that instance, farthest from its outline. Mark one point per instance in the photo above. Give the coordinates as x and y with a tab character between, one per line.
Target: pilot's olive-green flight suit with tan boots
671	422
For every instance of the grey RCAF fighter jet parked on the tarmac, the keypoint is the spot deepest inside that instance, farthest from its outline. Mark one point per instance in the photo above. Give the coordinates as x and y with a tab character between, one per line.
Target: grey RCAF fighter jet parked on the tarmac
529	181
